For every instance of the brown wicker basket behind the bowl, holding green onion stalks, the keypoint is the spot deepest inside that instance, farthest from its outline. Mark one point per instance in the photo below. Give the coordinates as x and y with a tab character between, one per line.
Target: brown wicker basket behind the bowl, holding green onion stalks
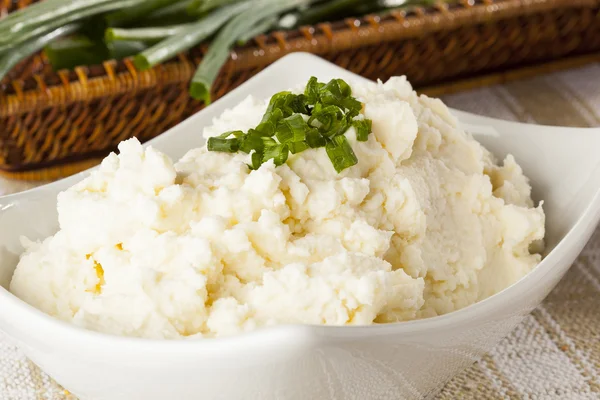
55	124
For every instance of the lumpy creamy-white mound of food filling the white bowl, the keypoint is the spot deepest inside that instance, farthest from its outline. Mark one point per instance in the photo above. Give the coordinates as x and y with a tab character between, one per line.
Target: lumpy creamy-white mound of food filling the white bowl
426	223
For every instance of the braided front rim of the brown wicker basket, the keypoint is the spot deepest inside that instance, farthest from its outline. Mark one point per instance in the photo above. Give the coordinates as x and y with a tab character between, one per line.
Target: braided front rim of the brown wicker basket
121	77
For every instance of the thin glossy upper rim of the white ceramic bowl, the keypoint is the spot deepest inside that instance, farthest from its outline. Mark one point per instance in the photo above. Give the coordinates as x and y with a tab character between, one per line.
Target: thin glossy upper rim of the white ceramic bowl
53	327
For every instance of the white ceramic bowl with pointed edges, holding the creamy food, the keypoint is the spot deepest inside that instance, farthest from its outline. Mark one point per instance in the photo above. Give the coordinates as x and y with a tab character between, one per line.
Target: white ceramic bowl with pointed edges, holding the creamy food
407	360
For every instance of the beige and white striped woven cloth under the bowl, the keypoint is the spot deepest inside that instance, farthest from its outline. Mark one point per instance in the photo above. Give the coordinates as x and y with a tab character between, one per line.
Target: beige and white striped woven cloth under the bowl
554	354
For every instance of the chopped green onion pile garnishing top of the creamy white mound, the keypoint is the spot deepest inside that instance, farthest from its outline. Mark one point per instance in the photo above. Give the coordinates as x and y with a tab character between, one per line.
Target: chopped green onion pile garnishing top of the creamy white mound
296	122
